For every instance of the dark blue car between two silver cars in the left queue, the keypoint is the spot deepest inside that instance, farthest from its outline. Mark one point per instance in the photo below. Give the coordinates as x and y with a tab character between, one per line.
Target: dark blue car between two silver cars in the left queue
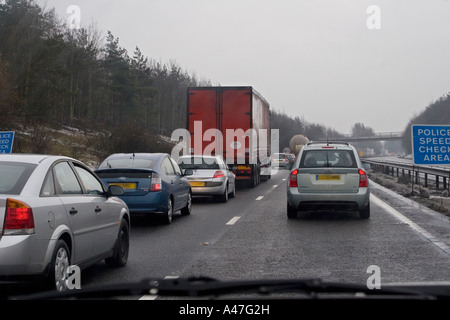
153	183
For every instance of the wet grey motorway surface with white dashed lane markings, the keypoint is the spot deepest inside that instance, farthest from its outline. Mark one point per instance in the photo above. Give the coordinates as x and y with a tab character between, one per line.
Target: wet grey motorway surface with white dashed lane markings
250	237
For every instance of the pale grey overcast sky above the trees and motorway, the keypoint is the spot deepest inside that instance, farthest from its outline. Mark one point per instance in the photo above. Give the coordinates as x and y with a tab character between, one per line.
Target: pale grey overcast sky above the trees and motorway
333	62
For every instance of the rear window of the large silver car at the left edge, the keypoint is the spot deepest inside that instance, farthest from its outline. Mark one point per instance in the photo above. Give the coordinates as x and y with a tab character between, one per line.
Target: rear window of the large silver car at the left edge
13	176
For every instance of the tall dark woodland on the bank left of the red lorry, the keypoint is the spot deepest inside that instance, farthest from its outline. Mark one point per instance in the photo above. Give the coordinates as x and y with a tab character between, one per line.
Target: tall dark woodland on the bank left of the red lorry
51	74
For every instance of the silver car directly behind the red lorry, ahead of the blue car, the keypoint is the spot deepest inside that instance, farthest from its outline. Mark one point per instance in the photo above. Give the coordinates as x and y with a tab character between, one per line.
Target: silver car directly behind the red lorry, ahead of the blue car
210	176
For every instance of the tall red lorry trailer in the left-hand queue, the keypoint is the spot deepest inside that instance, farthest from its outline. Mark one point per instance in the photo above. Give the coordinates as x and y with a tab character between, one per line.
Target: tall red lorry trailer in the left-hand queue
235	123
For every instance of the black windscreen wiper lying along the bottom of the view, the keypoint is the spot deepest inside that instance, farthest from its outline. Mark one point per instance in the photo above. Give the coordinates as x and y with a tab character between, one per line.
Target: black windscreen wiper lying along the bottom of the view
210	287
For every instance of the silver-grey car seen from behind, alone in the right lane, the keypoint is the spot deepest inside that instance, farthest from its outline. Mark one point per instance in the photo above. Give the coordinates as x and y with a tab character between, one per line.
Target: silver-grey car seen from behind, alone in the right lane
328	176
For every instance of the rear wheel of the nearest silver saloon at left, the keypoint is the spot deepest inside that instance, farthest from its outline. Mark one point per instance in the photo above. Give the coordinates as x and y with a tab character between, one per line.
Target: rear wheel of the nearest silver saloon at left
58	267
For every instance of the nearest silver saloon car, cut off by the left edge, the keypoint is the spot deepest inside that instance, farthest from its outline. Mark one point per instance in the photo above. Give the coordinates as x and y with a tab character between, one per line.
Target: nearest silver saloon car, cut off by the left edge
56	213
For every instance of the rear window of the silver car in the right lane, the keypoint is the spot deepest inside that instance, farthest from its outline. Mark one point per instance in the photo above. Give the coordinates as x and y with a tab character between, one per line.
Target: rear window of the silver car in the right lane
328	158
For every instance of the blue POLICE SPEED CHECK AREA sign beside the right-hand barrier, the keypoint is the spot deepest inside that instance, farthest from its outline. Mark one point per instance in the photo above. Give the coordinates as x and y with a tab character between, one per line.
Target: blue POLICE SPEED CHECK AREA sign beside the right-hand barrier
431	144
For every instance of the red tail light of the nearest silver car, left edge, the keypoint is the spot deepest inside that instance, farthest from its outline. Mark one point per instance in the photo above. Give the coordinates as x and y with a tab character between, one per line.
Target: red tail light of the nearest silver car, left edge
18	218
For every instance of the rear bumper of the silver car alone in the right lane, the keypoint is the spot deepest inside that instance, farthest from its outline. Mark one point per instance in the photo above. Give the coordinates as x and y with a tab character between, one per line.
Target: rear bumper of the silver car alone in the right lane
328	201
